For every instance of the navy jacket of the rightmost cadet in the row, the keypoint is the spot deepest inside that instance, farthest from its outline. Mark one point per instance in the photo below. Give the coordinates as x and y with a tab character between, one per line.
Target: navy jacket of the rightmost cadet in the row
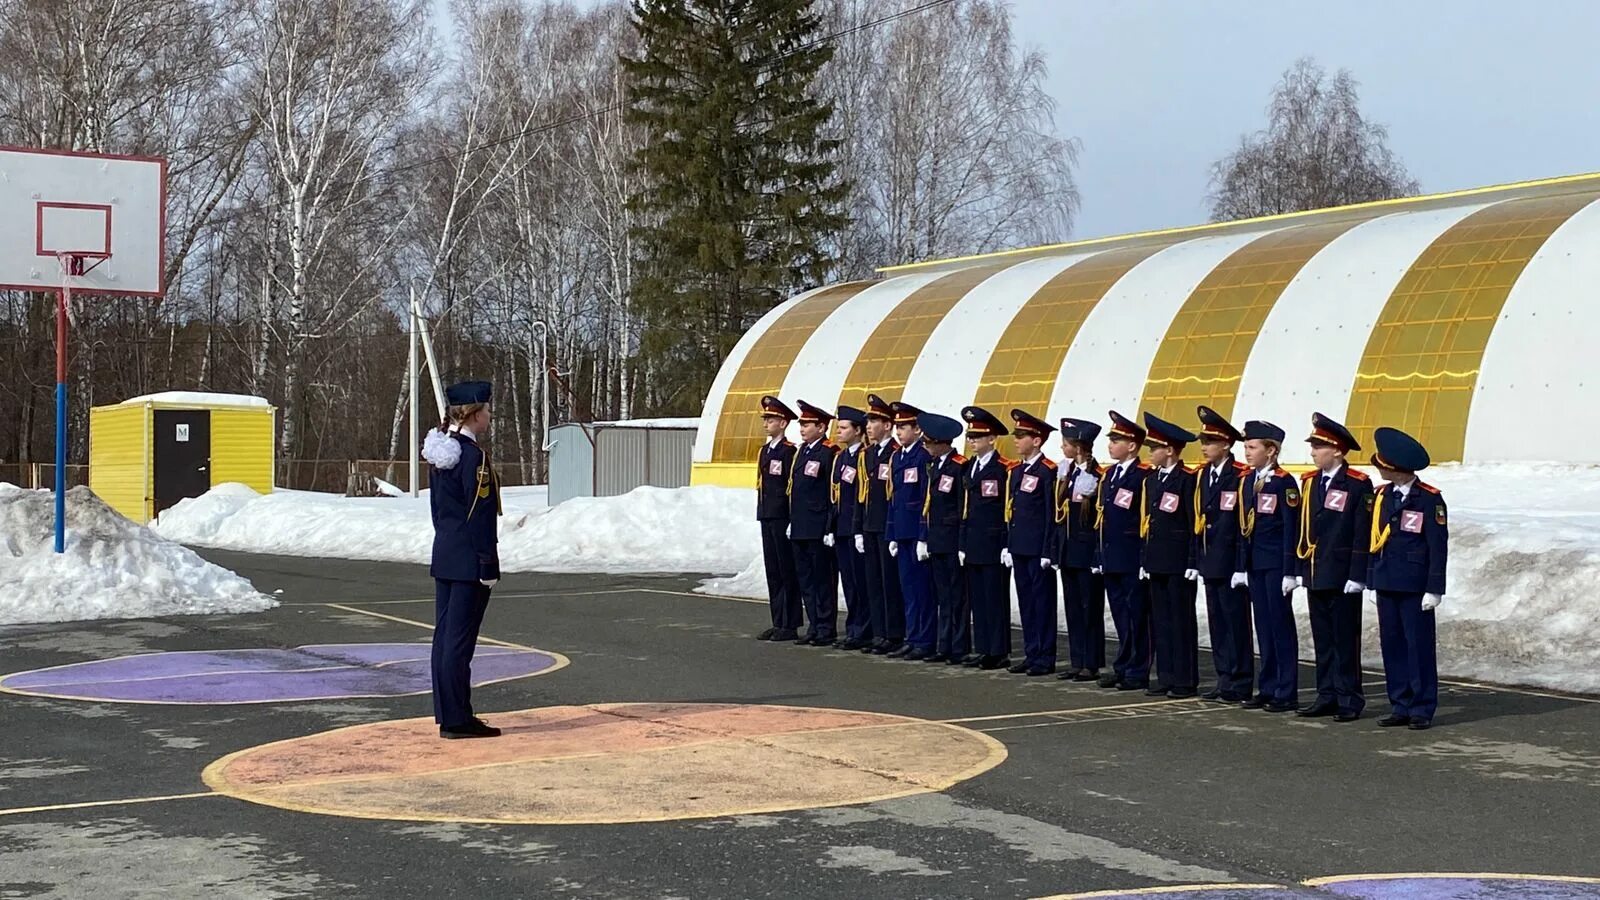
1415	539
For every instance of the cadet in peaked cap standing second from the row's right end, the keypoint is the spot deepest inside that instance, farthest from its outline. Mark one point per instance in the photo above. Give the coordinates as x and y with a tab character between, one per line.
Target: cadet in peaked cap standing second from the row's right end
1332	558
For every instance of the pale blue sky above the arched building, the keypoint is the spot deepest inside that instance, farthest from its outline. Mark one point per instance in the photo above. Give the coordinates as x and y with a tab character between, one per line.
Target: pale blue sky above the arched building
1473	92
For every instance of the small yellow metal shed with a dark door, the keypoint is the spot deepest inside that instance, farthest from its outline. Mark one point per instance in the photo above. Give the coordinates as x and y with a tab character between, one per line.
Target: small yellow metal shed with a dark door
151	452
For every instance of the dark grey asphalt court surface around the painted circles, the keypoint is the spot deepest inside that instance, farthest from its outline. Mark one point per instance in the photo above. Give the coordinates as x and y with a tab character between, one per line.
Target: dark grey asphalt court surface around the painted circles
1097	790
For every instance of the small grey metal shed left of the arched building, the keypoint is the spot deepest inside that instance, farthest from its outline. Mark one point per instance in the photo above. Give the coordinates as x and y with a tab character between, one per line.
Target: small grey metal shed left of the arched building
607	459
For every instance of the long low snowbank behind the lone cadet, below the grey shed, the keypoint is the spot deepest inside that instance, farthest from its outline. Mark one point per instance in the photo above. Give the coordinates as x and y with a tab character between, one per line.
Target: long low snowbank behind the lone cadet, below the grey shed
692	529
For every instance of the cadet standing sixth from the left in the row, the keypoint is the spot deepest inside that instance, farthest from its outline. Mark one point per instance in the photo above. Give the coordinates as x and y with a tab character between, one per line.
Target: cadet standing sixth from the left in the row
942	552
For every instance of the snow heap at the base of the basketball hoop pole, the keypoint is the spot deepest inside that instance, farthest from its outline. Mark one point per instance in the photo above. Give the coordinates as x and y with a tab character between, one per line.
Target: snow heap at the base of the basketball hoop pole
111	568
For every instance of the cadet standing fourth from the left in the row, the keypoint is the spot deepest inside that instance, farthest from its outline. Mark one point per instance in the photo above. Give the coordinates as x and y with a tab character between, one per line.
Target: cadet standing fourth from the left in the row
884	597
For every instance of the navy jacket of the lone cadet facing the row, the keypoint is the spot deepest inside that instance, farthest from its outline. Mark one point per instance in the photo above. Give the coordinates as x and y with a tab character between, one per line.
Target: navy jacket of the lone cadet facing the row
465	502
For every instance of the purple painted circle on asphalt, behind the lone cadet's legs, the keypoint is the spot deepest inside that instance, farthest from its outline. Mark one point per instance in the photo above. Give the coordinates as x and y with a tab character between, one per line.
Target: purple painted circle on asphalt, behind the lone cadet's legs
318	672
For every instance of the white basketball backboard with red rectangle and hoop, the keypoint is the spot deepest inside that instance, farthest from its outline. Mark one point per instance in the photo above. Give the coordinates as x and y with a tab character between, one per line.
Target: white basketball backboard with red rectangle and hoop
106	211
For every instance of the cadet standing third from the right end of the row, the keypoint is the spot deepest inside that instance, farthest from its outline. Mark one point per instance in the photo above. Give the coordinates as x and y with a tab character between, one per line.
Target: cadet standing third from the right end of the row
1270	528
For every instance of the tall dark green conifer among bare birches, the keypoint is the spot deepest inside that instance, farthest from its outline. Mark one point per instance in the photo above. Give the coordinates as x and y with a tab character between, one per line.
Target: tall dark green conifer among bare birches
740	203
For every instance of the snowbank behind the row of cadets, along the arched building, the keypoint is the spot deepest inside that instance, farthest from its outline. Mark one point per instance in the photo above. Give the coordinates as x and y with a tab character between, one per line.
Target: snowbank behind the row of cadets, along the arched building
1524	563
